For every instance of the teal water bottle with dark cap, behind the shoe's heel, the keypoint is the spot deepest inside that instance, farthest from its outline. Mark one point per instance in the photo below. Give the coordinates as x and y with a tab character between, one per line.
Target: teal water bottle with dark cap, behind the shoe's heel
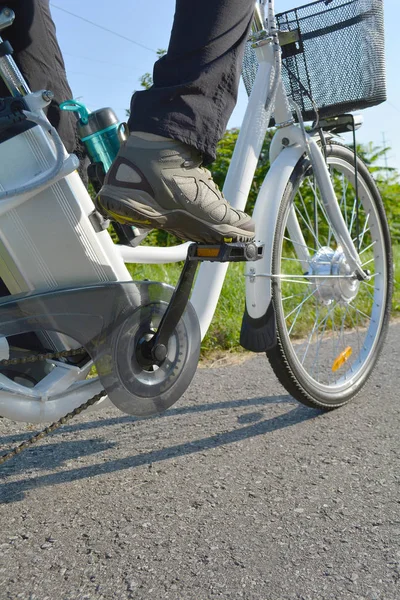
100	132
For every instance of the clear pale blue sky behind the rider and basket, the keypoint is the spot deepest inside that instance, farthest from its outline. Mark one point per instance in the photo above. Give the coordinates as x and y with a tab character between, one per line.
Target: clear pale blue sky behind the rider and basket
104	69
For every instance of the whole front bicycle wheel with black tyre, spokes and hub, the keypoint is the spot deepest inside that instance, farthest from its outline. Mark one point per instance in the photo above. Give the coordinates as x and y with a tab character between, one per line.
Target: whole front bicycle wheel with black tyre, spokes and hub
330	326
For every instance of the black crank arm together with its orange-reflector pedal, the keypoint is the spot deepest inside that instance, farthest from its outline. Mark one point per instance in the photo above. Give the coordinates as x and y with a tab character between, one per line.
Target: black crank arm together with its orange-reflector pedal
154	350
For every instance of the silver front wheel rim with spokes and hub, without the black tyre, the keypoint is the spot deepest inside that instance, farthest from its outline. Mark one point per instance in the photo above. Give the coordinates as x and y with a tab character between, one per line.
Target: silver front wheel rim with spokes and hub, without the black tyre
329	322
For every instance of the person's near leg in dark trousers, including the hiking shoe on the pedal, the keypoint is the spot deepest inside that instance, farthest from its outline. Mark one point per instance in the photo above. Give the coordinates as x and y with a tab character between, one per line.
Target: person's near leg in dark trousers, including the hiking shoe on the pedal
157	180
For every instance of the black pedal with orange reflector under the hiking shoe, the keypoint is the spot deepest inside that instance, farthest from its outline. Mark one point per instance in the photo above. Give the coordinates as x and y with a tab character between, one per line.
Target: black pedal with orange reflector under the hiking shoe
226	252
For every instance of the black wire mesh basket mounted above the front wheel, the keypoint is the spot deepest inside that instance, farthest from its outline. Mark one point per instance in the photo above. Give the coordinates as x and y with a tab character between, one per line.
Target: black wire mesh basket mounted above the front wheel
339	59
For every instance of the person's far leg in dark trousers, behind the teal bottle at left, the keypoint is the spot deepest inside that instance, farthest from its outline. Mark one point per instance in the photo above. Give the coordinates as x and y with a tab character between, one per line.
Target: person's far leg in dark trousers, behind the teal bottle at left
38	56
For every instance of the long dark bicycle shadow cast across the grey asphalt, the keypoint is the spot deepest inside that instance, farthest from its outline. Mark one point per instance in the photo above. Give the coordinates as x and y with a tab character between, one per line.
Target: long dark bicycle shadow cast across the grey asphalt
14	491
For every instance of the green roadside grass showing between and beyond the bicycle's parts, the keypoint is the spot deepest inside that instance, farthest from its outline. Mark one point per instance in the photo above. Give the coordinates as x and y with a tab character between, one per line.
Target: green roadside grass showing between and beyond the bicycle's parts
224	331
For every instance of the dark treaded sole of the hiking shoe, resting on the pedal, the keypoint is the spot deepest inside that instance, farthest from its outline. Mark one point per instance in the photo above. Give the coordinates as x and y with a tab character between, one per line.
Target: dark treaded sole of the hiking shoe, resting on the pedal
181	223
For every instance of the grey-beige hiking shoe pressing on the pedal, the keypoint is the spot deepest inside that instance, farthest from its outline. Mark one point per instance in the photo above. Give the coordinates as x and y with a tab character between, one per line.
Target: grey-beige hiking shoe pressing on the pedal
159	183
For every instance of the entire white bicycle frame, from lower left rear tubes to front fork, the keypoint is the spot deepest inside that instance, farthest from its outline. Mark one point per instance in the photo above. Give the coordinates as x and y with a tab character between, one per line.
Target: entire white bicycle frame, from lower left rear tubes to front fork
66	387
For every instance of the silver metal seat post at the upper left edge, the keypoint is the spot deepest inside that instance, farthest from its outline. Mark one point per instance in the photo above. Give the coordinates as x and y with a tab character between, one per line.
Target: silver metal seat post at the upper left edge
9	71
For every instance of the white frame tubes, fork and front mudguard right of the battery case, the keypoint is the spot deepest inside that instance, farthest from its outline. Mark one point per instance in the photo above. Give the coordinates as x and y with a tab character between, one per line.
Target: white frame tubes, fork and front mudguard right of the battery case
290	142
